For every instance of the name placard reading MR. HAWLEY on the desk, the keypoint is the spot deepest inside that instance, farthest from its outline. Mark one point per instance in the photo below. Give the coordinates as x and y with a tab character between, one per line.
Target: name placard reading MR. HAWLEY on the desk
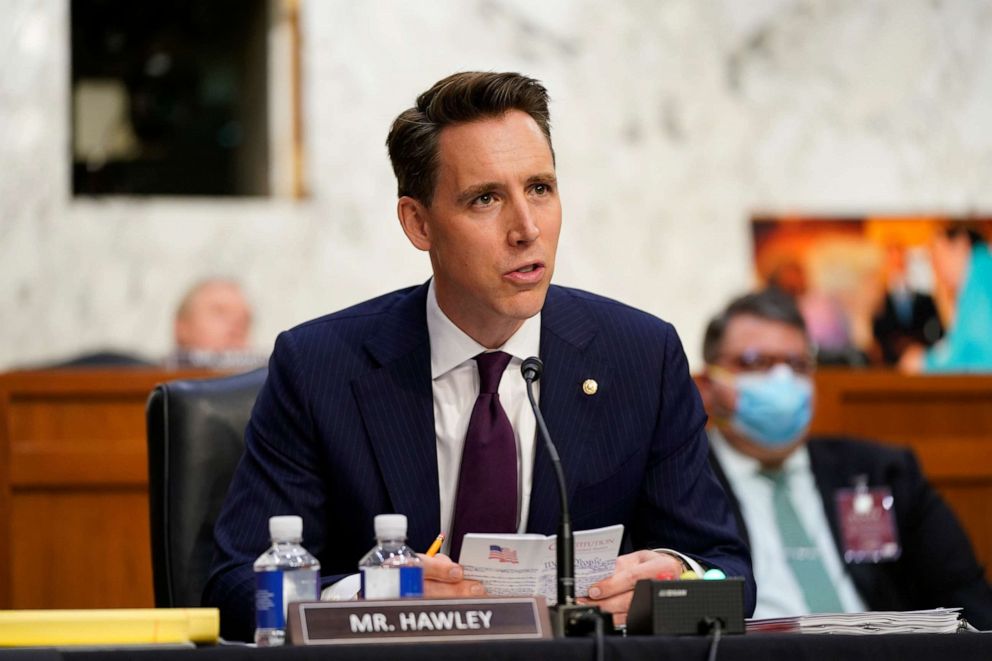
435	620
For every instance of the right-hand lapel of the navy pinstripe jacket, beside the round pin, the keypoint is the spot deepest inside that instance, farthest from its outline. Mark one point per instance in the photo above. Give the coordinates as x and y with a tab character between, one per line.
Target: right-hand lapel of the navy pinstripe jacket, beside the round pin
572	417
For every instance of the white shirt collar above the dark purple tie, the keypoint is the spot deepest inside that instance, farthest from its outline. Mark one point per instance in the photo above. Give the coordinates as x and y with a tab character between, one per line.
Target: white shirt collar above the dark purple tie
450	346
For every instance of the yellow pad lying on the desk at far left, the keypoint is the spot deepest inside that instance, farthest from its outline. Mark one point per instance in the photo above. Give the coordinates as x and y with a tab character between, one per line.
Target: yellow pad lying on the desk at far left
117	626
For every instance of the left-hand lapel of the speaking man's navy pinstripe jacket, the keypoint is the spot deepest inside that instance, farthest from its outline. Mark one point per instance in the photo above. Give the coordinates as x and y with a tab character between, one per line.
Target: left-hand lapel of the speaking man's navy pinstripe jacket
396	404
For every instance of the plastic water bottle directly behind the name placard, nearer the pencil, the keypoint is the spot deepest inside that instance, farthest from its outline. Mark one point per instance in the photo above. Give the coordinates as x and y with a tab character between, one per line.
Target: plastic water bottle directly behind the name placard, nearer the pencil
391	570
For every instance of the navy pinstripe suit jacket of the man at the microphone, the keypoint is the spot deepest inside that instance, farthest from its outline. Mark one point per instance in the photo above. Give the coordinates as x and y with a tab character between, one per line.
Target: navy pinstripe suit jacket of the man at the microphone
343	430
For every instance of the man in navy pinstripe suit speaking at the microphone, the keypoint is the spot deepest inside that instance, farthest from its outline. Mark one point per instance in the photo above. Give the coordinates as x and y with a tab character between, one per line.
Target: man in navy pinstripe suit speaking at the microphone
365	411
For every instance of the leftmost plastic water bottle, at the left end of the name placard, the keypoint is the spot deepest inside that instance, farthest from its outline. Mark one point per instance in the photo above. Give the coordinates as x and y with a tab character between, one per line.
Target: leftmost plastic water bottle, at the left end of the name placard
283	574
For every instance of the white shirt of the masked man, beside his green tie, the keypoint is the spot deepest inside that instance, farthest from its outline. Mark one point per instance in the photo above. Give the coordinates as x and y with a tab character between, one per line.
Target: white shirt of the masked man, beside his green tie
779	593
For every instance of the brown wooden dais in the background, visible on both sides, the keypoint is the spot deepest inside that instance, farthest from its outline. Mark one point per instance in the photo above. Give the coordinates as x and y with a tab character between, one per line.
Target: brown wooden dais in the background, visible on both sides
73	470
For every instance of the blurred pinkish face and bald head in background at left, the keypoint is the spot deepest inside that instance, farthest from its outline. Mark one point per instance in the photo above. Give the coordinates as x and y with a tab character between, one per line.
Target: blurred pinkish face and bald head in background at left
215	317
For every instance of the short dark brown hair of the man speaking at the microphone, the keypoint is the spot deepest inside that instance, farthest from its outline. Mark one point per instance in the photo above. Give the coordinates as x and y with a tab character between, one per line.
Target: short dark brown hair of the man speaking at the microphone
462	97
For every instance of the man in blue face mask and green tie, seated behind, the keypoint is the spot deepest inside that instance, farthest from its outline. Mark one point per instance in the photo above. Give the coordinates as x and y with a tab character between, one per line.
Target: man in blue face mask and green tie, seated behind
834	525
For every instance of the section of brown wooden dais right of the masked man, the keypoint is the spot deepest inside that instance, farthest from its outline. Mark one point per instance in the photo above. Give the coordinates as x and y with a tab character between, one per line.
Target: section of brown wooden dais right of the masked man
947	420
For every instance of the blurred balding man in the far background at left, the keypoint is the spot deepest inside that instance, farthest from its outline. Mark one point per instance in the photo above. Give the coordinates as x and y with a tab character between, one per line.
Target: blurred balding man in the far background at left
212	327
